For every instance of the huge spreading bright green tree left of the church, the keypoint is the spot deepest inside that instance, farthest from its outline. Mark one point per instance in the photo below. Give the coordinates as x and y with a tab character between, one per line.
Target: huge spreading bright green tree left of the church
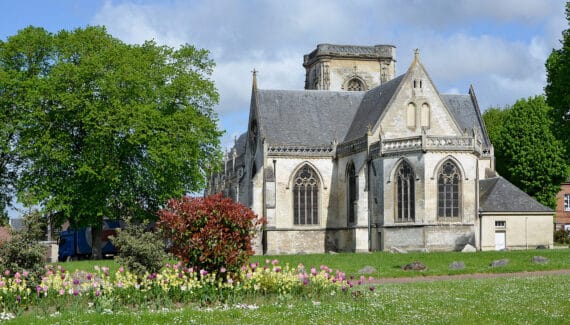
108	128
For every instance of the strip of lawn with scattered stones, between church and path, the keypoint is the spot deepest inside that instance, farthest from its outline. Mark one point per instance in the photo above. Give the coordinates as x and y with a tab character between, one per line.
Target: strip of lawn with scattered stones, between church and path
389	265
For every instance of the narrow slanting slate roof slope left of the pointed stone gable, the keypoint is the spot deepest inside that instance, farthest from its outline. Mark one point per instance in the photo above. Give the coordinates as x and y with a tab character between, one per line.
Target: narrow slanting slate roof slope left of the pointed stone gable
371	108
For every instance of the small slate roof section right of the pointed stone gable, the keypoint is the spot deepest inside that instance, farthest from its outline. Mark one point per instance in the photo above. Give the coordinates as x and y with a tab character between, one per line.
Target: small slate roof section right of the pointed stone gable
467	114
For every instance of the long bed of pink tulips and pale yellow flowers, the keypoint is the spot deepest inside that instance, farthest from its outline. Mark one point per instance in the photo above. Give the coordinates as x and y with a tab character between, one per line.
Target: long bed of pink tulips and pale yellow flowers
174	284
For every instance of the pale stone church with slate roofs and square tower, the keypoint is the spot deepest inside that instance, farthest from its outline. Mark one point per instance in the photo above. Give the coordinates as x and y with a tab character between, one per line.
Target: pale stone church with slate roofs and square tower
364	160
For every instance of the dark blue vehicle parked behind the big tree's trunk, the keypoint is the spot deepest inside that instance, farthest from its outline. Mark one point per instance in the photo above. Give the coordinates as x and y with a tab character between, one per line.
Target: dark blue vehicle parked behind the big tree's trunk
76	244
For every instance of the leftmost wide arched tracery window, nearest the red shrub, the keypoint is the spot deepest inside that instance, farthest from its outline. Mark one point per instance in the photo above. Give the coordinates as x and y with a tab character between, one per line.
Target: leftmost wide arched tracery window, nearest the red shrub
306	197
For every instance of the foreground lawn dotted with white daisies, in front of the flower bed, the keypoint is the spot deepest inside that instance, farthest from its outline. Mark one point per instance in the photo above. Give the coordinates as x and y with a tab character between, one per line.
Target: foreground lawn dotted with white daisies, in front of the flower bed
538	300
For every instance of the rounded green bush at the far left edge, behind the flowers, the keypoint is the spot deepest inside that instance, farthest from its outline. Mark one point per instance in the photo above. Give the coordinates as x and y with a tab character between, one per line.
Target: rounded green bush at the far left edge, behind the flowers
23	253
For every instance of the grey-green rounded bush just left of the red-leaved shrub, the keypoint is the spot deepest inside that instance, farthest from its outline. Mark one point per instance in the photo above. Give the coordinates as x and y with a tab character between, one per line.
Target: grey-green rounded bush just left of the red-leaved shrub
140	251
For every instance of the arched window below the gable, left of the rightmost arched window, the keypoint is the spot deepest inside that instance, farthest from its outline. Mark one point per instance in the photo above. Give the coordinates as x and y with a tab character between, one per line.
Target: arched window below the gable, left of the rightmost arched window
405	198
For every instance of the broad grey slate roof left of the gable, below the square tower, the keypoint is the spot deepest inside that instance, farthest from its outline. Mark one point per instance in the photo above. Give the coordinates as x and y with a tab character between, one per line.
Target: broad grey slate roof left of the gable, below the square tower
306	117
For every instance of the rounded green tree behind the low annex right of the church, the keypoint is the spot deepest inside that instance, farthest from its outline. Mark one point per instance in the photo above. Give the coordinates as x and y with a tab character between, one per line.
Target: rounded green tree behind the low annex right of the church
526	151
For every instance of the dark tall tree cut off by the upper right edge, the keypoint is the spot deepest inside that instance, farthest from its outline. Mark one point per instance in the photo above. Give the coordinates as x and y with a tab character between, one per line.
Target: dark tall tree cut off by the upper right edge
557	88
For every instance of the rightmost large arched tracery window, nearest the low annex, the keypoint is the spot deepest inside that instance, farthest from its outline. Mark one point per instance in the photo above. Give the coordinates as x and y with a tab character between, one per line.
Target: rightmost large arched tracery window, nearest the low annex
448	191
